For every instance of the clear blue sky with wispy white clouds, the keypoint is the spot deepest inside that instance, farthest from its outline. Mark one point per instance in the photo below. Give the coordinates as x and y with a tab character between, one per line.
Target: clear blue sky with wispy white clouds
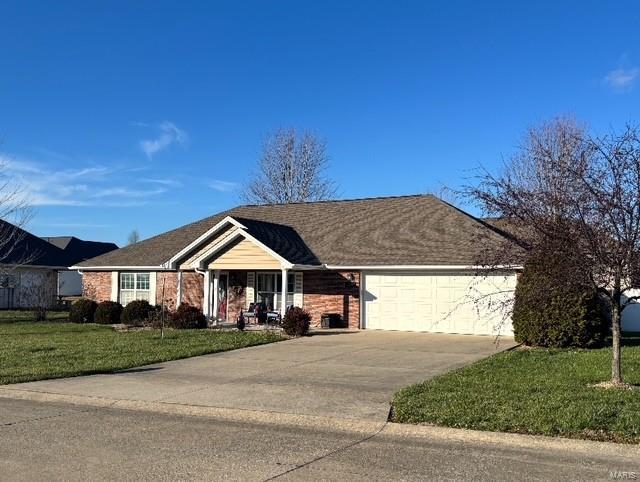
147	115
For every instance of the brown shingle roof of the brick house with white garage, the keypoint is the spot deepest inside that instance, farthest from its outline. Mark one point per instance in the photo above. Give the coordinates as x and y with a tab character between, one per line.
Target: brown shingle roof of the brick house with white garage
406	230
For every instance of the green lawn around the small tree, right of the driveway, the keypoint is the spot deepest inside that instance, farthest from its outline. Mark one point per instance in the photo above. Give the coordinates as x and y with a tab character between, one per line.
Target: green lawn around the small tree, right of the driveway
533	391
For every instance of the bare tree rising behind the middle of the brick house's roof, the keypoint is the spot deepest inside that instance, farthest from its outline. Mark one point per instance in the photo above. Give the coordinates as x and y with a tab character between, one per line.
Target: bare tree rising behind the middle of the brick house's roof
290	170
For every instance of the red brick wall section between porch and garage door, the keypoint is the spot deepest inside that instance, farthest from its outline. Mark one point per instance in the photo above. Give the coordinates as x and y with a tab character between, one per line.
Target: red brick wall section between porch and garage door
332	292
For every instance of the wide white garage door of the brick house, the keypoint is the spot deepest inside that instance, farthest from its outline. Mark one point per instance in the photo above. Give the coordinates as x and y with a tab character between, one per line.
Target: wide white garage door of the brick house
444	302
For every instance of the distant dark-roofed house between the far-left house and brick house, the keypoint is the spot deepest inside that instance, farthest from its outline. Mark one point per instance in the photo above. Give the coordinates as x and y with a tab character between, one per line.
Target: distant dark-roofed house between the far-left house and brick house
76	250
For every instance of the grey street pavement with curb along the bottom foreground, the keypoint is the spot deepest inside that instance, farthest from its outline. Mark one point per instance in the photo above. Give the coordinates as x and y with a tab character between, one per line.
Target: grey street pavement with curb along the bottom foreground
54	441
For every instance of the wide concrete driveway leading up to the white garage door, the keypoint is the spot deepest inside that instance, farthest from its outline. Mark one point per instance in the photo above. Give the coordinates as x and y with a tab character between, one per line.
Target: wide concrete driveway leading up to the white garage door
347	375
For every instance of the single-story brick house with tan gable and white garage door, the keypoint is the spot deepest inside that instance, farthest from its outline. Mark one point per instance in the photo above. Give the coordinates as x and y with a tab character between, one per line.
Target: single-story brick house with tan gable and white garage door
397	263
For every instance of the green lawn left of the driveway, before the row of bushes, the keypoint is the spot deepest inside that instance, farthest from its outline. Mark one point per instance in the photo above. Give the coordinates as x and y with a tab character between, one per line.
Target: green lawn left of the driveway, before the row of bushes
35	351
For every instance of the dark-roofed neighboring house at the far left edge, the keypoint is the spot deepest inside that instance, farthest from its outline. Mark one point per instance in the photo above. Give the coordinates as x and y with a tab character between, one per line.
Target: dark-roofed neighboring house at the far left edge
28	270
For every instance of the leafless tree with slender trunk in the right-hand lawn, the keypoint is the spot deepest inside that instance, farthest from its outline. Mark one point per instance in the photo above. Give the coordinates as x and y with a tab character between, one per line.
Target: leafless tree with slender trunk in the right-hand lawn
581	195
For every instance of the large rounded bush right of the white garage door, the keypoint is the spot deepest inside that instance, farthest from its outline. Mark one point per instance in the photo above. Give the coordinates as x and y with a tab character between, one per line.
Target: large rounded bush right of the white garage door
556	307
